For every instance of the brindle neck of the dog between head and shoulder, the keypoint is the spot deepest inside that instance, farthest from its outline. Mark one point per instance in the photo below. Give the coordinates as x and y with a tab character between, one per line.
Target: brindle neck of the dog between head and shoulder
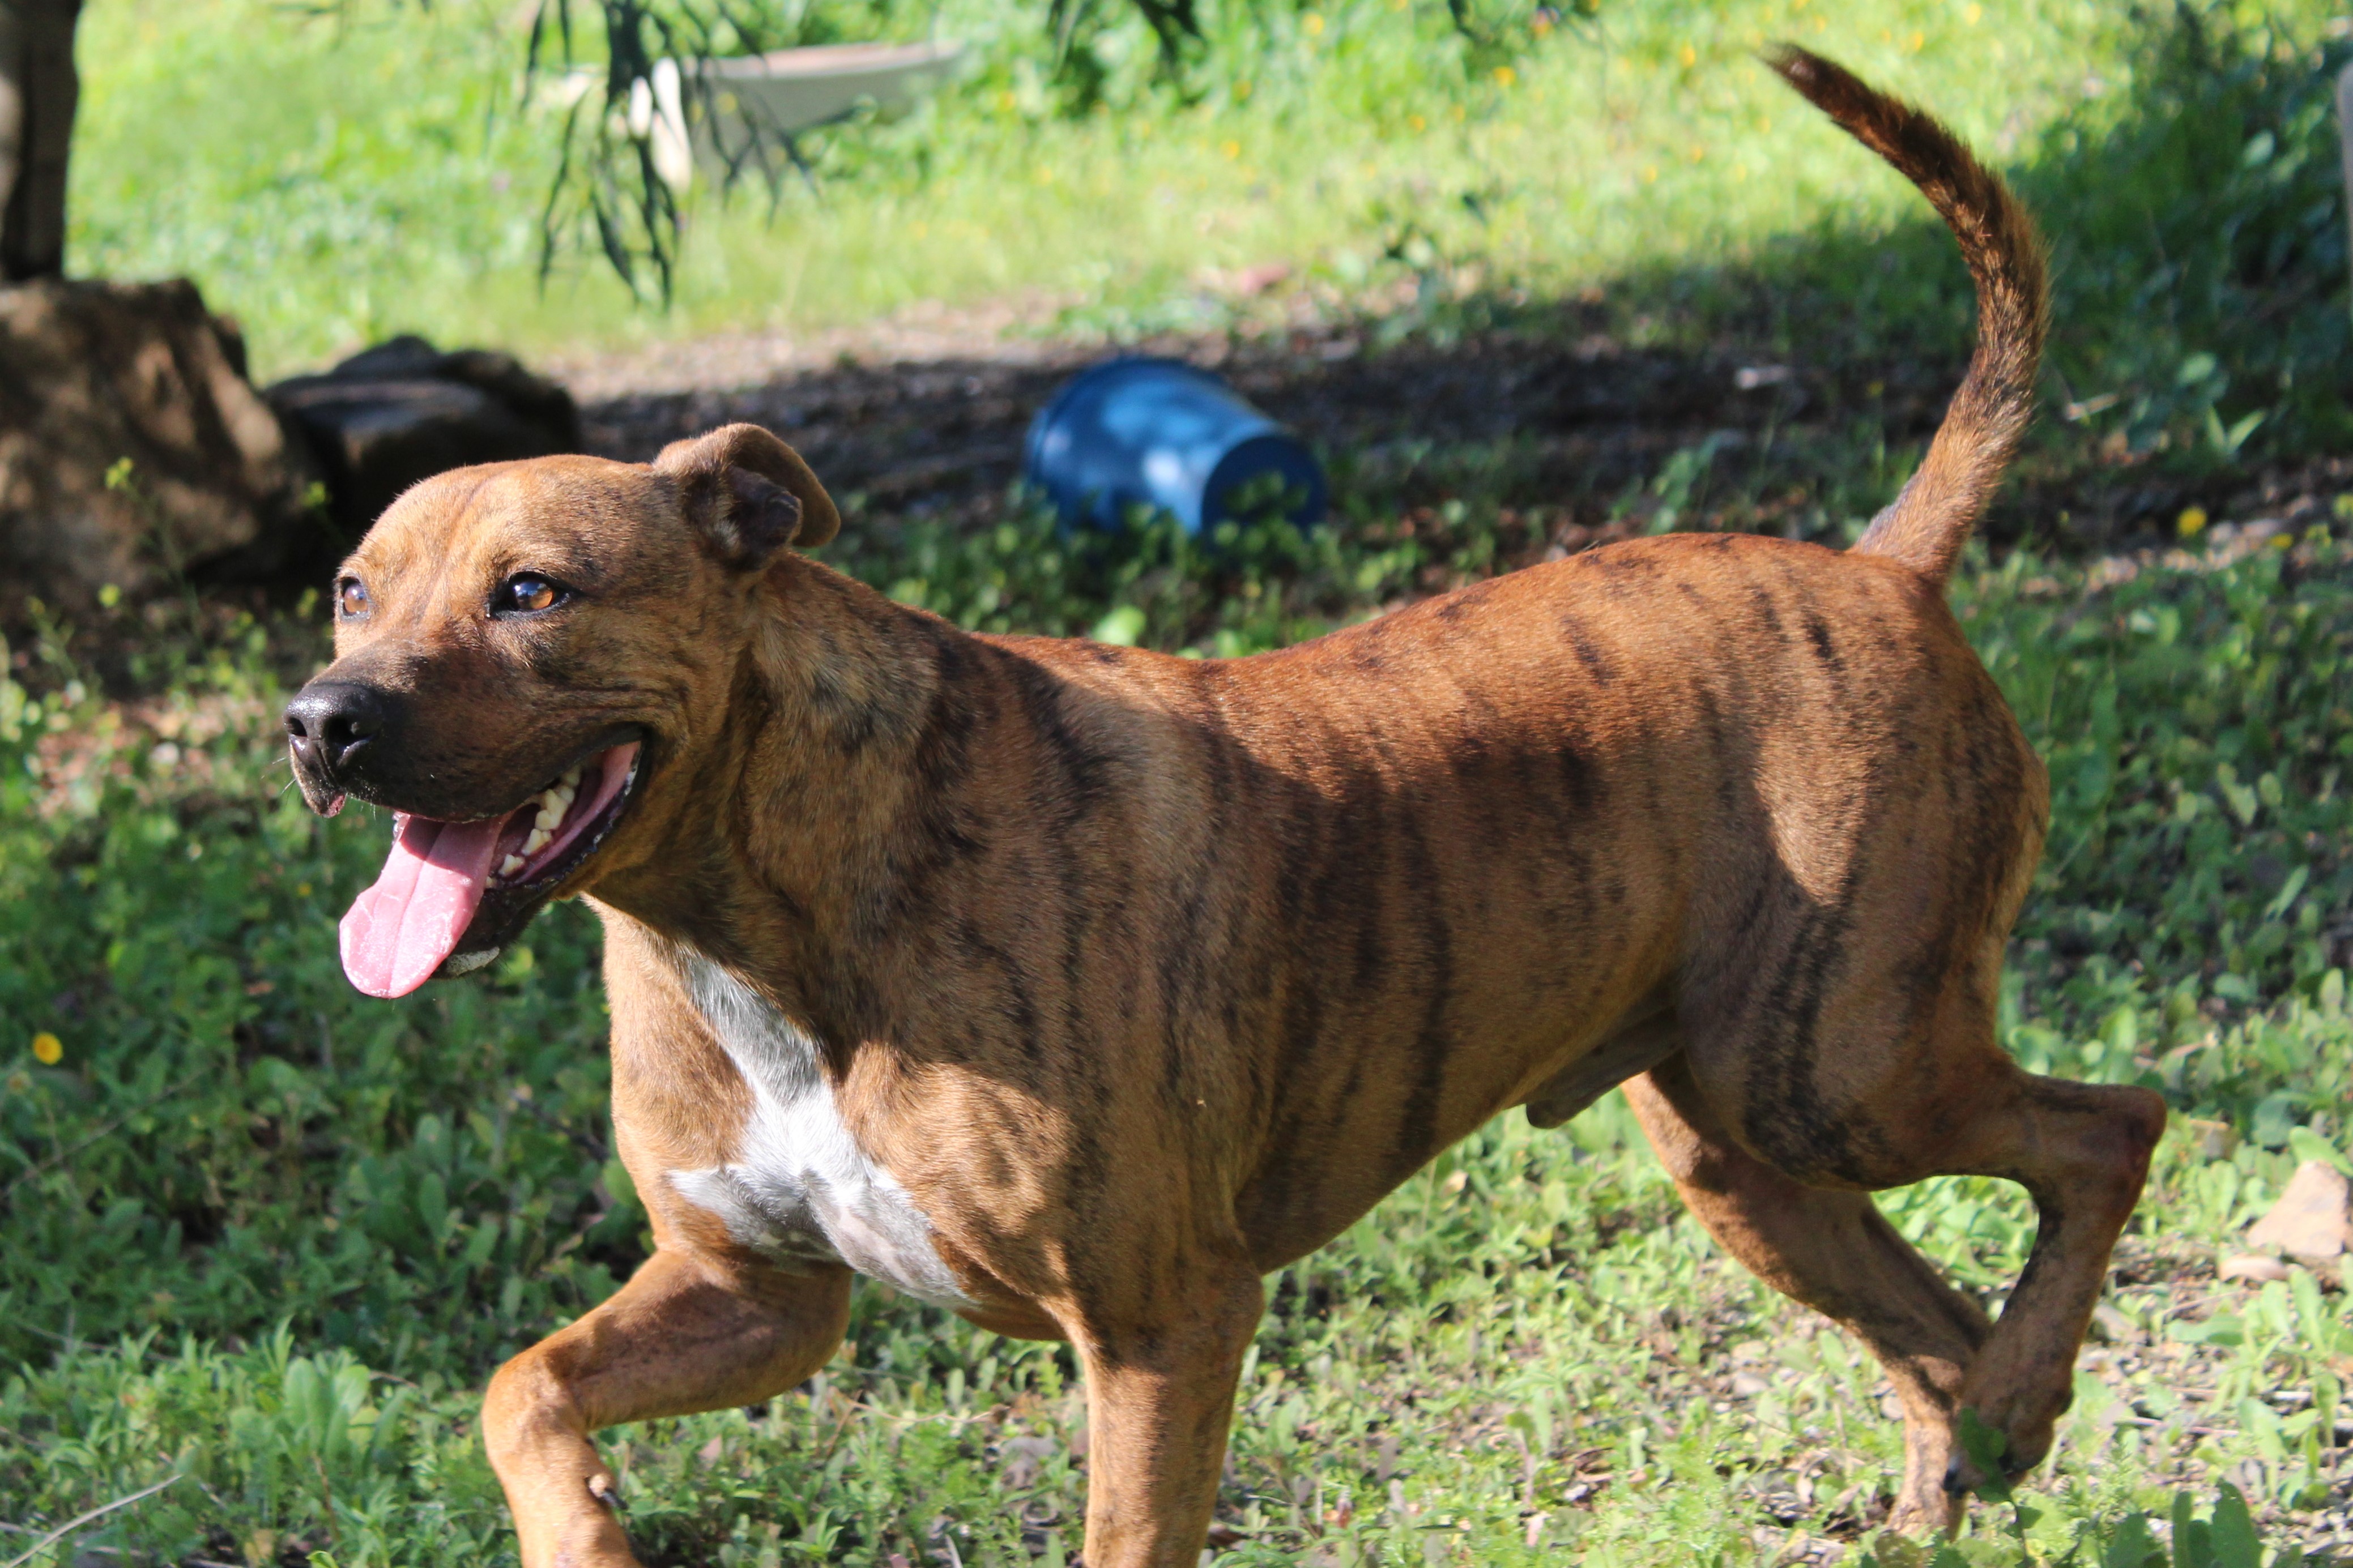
796	831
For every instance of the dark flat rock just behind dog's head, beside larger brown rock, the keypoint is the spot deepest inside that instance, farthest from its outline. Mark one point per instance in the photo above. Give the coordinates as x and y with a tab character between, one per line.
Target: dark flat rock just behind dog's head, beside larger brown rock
406	410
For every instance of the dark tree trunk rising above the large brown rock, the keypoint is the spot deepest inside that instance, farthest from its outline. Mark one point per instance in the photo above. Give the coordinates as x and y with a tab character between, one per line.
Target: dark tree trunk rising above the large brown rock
39	88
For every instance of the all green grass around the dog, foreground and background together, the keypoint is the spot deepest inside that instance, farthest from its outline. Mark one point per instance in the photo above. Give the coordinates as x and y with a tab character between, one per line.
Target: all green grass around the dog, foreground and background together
265	1240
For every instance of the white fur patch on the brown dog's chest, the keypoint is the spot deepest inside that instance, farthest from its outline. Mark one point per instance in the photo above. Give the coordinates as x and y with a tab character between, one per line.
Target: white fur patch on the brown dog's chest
801	1188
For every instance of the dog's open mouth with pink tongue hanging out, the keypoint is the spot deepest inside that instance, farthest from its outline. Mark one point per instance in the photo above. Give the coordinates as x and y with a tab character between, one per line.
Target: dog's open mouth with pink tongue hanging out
406	930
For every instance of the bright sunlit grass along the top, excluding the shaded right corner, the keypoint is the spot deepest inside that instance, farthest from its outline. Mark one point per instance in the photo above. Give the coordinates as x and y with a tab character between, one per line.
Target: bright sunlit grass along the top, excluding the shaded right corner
361	192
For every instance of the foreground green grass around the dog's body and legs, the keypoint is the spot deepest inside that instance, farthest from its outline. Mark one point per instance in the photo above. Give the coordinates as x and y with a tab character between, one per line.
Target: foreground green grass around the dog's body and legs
272	1238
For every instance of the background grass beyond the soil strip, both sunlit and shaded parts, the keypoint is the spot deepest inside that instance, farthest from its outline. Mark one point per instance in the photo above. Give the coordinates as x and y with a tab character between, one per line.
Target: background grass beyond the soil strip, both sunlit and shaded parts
333	182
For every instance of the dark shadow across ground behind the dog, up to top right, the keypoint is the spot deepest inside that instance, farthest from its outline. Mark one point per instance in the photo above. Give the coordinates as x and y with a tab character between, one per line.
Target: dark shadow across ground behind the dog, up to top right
2199	351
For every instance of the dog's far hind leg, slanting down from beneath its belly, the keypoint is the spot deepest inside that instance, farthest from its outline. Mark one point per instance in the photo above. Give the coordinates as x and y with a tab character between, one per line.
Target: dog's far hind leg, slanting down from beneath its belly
1837	1254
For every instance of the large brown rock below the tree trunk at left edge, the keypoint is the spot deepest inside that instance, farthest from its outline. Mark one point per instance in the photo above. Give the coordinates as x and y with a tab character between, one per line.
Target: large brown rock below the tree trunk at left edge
93	375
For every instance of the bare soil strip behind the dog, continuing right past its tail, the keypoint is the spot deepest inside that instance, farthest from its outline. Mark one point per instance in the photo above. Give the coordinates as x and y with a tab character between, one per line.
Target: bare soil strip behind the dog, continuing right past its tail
1554	415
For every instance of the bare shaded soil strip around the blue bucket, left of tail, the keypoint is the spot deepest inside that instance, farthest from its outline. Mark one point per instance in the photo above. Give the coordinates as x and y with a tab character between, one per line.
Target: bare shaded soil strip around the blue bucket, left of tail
938	422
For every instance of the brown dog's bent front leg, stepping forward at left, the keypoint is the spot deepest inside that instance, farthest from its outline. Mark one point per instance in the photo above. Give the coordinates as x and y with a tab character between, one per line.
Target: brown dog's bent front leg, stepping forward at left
686	1334
